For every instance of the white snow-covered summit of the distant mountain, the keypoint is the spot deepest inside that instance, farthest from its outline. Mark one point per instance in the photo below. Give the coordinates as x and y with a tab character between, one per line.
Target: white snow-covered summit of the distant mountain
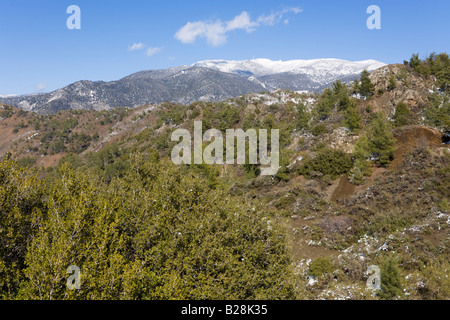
318	70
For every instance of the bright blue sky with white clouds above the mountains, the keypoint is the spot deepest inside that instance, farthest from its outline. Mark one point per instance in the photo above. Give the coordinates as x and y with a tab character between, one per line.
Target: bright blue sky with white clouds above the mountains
39	53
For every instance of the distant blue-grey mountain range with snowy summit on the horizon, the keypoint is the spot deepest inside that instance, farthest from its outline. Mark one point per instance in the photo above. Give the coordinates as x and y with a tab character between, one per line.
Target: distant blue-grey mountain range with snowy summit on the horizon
211	80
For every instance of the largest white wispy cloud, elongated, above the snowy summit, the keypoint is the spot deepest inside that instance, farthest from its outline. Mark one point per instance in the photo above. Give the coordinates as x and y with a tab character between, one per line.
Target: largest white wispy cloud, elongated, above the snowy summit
215	32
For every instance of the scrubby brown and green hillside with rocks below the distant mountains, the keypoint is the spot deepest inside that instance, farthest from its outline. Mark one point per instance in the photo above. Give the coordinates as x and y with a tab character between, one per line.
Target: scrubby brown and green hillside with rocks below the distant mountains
363	180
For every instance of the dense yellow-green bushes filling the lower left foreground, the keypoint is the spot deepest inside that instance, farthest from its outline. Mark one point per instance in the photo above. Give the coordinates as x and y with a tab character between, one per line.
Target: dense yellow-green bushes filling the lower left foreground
152	233
